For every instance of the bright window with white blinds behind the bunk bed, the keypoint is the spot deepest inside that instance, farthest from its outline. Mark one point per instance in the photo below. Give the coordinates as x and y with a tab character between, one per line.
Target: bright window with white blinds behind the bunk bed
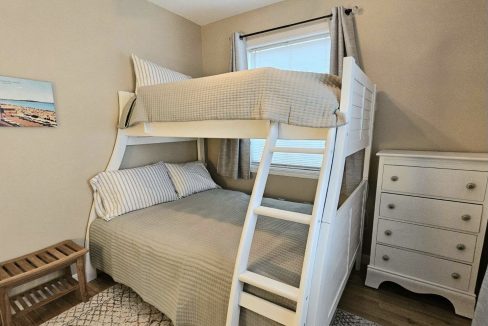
304	49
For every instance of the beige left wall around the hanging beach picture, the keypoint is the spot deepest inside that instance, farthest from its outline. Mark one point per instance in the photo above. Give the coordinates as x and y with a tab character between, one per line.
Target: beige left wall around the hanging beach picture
83	47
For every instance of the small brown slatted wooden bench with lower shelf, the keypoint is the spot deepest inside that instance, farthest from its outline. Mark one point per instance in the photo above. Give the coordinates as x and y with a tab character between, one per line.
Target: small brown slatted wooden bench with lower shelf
24	269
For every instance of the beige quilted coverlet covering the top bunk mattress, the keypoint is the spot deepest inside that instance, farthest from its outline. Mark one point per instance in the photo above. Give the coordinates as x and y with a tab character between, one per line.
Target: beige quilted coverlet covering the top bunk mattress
292	97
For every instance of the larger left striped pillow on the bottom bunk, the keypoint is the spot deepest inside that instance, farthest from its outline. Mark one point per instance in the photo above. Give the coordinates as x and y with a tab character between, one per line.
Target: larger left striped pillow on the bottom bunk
122	191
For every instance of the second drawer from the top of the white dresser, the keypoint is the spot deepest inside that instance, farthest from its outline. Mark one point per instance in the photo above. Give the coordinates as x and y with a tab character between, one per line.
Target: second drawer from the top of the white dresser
454	215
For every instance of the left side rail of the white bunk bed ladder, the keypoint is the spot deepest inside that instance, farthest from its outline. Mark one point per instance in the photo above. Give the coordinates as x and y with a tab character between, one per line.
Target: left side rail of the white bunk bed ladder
245	243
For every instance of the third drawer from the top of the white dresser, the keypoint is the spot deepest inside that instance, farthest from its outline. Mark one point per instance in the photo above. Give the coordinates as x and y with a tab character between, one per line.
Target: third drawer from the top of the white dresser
444	243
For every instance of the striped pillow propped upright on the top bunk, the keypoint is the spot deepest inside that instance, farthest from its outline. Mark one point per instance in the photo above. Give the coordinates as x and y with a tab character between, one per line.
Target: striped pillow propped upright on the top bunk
149	73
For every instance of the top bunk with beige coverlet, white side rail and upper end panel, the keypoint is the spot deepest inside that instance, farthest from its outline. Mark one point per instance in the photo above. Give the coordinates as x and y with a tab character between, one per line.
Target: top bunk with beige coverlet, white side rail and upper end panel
245	104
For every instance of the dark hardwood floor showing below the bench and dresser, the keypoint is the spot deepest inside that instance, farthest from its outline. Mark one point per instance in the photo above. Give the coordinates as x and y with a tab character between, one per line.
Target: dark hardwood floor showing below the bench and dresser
390	305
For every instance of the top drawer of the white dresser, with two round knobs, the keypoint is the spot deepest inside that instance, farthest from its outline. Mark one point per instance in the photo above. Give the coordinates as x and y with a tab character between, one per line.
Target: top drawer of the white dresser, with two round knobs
456	184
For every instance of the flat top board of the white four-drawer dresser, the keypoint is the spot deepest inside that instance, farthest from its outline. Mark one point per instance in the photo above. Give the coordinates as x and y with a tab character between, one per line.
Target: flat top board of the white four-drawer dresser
436	155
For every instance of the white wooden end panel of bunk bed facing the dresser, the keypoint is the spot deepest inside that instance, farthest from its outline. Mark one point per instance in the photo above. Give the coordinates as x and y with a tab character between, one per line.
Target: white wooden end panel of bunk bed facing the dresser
340	241
